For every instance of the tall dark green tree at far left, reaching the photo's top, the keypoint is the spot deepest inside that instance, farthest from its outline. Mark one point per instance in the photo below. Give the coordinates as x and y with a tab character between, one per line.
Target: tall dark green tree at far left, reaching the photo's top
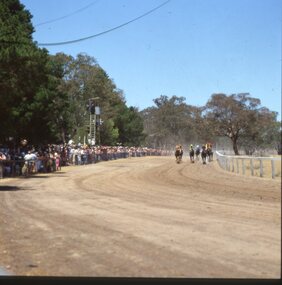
26	84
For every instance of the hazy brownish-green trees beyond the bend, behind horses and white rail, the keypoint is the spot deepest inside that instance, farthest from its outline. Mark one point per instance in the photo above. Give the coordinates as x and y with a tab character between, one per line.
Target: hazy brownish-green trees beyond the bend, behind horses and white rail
237	118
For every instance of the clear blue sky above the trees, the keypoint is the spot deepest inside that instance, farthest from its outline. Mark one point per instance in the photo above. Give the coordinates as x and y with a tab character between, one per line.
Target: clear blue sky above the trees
189	48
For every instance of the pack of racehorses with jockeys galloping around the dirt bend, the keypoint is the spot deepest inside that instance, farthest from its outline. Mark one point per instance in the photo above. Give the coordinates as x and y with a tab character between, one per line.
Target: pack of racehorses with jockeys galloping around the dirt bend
205	153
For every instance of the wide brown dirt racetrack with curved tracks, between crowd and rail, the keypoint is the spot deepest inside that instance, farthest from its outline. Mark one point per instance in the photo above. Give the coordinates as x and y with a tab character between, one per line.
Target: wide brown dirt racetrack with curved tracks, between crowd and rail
145	217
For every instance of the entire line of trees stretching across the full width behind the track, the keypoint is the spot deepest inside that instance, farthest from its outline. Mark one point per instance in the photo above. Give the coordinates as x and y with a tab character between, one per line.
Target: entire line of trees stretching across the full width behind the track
43	98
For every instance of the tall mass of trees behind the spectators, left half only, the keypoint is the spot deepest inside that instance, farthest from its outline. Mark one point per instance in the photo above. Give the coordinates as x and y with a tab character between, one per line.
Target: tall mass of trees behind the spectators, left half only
44	97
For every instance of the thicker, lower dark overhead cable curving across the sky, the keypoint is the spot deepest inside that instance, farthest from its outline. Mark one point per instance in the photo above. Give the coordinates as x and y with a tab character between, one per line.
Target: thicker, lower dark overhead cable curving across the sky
104	32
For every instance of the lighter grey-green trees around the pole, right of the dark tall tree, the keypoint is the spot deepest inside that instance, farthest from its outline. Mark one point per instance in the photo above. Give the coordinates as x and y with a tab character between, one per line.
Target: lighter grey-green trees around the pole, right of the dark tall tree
84	79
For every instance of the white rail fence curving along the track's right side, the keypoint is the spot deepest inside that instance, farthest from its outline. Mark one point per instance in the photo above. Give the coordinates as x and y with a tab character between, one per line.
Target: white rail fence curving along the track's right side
251	165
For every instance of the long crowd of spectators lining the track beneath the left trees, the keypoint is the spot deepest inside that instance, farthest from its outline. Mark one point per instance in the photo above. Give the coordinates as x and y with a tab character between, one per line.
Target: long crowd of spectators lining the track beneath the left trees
29	159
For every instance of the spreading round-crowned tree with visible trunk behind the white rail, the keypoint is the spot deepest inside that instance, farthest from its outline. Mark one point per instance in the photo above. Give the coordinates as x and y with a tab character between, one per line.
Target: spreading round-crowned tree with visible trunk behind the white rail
239	117
